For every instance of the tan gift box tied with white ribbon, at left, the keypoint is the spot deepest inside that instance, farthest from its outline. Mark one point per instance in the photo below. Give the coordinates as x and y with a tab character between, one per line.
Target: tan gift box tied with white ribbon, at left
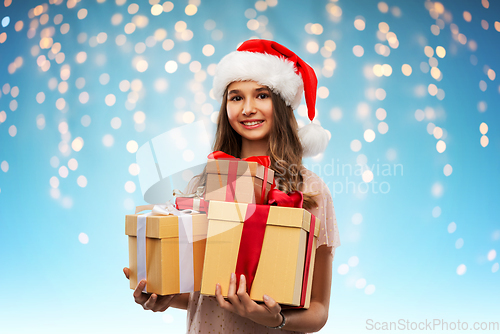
167	248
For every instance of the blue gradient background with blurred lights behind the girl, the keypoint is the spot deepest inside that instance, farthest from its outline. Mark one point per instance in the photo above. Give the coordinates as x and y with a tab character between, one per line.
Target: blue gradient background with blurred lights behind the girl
52	283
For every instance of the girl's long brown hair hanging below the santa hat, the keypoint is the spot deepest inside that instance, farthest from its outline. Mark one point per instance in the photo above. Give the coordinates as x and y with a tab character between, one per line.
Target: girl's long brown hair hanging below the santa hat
285	148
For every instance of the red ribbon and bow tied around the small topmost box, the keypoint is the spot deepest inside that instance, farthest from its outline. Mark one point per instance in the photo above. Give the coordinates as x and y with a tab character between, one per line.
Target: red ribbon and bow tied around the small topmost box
264	160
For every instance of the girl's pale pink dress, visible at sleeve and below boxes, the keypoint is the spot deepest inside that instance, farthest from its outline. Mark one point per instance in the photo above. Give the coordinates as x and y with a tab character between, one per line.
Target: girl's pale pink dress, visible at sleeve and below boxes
204	314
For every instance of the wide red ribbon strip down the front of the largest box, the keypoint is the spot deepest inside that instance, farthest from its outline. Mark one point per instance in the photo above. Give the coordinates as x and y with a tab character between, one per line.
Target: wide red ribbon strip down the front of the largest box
252	238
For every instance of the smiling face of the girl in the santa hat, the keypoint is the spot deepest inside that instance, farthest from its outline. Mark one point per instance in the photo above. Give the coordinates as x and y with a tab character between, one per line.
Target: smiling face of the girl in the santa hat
250	110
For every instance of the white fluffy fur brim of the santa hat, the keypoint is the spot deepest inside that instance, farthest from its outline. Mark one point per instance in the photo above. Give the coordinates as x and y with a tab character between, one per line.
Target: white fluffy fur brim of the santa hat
274	72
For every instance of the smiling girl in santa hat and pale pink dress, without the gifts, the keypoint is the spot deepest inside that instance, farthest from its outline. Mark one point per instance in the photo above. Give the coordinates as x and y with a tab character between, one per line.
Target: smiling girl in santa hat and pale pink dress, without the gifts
259	86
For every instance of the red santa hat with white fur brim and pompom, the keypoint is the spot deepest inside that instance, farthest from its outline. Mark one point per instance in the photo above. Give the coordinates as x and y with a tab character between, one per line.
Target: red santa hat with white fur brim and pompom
273	65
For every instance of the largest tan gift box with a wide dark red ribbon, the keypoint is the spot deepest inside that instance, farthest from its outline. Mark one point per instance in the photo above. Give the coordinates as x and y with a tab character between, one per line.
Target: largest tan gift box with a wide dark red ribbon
273	246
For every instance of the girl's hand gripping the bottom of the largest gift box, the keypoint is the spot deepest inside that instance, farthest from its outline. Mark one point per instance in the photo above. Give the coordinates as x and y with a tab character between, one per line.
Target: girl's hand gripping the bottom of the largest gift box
267	314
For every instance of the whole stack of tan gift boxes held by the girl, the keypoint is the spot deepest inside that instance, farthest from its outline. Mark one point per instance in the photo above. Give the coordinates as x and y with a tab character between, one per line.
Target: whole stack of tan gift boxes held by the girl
242	225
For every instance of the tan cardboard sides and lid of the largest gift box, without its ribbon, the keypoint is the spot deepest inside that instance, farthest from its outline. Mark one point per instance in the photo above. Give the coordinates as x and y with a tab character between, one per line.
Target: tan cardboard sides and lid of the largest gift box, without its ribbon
280	268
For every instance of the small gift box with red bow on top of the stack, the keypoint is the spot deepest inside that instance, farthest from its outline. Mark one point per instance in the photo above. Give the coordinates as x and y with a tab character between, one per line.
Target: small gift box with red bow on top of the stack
233	180
